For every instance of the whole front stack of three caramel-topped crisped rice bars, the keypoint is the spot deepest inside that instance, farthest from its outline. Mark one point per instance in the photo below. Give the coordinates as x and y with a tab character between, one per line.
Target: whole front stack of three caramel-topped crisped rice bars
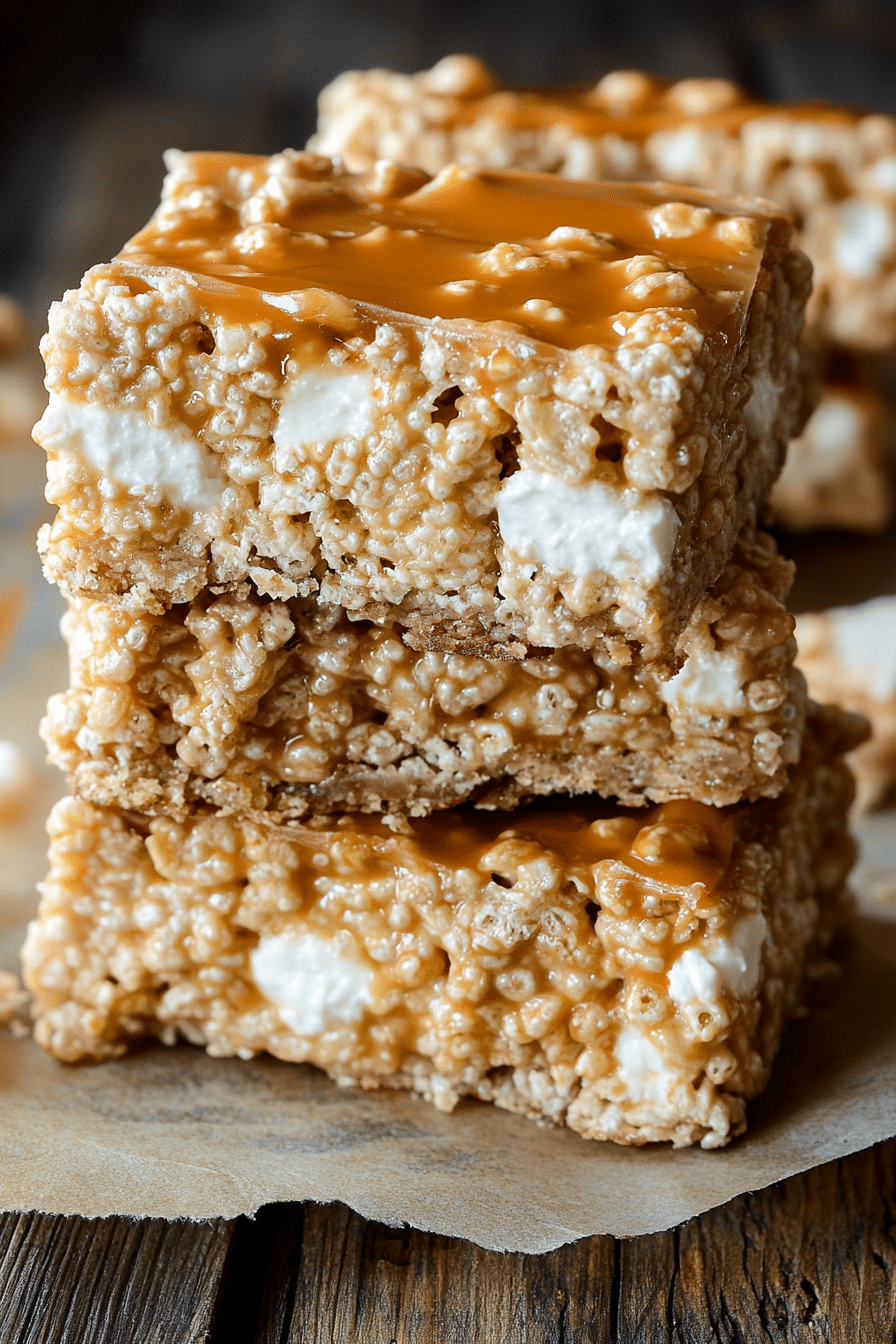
433	714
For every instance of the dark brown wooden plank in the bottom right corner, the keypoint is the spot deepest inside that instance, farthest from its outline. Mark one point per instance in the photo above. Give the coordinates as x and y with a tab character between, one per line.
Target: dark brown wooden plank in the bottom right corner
813	1259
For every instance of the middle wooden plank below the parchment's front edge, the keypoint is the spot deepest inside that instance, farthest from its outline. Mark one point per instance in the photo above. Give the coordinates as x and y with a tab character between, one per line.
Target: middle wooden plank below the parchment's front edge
351	1280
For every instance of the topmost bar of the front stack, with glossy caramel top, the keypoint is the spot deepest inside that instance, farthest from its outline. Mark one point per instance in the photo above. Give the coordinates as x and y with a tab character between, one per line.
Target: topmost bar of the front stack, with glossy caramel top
504	411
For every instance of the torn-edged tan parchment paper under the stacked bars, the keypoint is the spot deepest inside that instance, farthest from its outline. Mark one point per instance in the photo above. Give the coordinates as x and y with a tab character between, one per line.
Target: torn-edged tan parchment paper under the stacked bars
174	1134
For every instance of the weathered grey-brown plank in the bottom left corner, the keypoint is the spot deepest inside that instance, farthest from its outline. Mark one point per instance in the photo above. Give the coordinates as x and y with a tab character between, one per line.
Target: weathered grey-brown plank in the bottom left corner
108	1280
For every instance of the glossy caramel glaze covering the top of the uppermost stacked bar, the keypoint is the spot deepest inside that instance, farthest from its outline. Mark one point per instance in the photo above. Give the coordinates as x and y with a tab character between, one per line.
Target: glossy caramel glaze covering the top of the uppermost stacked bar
564	261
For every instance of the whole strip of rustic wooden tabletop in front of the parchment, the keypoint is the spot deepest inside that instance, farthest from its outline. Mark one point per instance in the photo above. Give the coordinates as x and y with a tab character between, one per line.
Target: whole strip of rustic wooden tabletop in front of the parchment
813	1259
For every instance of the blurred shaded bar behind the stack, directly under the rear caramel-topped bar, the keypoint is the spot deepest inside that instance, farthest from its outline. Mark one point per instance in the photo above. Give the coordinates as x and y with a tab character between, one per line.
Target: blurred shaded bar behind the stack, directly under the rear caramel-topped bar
836	472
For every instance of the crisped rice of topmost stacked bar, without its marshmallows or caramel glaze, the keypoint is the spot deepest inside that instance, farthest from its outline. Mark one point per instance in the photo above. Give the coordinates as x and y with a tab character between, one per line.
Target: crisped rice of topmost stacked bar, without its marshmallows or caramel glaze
401	523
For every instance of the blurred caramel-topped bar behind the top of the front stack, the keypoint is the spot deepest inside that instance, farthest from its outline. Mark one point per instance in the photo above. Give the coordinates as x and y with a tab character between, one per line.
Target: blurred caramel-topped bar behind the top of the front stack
831	167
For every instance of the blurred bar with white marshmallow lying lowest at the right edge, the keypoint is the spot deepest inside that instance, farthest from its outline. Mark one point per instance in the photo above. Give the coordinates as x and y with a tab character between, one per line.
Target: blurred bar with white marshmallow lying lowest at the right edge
850	658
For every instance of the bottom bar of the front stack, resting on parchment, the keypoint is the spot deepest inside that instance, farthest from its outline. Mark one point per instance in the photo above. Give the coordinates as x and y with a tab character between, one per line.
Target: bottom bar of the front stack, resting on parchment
627	974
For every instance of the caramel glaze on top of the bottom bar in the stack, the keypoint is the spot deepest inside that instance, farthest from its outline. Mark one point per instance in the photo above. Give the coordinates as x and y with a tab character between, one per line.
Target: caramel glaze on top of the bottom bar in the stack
675	845
